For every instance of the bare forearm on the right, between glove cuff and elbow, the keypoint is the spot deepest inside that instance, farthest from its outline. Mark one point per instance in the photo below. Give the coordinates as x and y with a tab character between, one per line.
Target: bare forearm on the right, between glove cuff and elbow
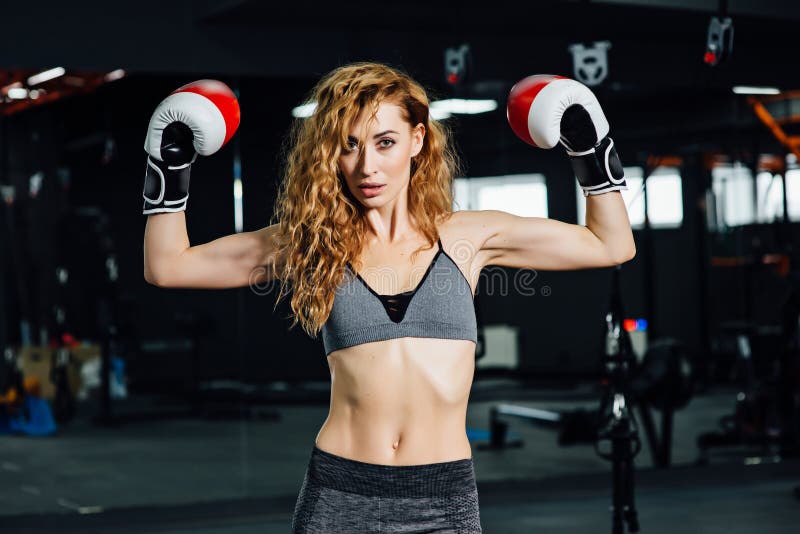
607	218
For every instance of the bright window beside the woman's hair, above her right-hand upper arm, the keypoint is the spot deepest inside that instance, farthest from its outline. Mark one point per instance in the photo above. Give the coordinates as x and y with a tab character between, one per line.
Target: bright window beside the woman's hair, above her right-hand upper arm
521	194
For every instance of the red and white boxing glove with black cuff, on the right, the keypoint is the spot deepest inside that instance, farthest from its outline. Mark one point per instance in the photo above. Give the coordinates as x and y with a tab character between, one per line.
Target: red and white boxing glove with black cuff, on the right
545	109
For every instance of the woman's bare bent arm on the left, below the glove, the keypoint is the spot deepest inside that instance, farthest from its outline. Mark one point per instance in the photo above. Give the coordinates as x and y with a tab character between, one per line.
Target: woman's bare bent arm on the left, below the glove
235	260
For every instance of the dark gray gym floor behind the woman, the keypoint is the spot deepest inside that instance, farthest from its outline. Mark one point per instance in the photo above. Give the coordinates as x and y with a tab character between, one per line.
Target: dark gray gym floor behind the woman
213	475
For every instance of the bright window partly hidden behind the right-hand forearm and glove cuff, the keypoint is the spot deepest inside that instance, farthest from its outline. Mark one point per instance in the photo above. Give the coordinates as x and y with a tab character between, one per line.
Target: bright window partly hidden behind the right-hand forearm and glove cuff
665	198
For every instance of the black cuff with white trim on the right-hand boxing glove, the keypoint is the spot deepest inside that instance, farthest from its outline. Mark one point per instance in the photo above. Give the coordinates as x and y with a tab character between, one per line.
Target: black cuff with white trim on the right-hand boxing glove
599	169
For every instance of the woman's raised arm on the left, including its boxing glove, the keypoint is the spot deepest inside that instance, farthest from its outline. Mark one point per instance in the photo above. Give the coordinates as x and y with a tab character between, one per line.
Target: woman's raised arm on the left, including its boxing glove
197	119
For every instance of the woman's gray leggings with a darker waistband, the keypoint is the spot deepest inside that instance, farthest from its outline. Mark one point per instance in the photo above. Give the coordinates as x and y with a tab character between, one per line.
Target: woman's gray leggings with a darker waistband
346	496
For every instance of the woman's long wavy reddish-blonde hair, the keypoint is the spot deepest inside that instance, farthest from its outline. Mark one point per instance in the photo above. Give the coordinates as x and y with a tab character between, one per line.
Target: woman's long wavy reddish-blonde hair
320	224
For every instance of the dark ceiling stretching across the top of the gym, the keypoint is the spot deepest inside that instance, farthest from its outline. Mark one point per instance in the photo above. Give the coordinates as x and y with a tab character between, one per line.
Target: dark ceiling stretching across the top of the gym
655	61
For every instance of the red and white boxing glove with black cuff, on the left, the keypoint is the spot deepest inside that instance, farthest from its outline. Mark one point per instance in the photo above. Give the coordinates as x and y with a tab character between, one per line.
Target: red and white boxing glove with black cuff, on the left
198	118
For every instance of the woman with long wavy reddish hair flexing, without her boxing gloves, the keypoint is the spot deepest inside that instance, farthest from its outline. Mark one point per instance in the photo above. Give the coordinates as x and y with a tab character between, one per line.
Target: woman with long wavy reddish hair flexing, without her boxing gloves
379	264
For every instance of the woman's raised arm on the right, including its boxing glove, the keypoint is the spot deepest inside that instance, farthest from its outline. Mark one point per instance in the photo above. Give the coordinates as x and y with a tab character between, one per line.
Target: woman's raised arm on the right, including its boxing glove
546	110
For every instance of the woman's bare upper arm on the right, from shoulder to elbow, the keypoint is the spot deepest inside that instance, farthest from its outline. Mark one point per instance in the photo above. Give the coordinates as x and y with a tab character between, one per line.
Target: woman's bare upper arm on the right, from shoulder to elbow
541	243
